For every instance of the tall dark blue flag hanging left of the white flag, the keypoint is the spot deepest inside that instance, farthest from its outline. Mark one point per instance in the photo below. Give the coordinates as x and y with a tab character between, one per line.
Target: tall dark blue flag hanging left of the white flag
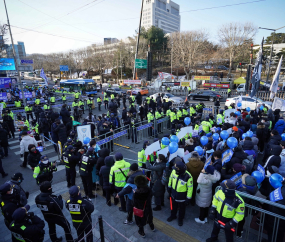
256	75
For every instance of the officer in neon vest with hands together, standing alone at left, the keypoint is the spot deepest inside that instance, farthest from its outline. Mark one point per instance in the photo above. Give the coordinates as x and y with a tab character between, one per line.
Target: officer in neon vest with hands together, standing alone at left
43	171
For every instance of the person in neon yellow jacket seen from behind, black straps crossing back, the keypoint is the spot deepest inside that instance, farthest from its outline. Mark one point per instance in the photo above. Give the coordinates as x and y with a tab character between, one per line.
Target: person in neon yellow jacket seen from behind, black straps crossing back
118	177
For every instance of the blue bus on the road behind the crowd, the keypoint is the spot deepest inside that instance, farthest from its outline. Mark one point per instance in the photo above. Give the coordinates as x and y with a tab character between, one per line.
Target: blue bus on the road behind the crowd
87	85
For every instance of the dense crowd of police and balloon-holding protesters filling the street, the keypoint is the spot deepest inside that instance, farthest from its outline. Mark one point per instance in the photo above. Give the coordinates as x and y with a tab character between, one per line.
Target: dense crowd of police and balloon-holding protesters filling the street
193	181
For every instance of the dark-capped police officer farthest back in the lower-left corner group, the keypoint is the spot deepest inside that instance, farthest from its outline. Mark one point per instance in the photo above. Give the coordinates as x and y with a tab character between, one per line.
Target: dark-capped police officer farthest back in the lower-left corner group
15	182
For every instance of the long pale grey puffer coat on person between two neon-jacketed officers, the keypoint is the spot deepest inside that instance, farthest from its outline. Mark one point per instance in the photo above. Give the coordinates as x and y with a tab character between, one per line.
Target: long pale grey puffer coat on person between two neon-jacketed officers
204	190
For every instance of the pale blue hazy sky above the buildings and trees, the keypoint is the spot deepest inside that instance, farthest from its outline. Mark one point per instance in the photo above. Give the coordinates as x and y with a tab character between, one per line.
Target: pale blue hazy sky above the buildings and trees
86	22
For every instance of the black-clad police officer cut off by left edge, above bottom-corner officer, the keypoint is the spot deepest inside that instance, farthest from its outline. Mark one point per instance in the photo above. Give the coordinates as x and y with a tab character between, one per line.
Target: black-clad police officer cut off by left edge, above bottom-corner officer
9	202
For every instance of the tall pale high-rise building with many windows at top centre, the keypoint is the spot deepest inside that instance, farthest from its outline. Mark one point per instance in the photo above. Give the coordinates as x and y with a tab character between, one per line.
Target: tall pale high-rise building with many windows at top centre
163	14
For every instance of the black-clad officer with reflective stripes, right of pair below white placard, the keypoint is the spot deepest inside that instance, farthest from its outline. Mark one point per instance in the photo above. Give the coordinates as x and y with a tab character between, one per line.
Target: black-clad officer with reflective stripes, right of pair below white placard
86	165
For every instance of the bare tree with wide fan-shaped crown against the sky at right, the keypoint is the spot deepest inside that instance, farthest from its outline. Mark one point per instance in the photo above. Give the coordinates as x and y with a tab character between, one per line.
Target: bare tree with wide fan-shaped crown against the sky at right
233	36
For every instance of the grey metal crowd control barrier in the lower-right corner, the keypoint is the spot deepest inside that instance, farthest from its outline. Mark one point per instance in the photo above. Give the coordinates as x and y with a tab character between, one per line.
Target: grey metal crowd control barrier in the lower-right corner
260	222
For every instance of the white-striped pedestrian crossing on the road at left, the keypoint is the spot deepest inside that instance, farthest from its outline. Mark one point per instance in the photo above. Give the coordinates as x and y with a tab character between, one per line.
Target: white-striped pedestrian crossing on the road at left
14	146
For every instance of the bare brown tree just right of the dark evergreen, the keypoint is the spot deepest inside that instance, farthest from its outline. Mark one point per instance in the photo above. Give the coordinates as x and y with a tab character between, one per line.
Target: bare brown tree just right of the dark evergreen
188	49
